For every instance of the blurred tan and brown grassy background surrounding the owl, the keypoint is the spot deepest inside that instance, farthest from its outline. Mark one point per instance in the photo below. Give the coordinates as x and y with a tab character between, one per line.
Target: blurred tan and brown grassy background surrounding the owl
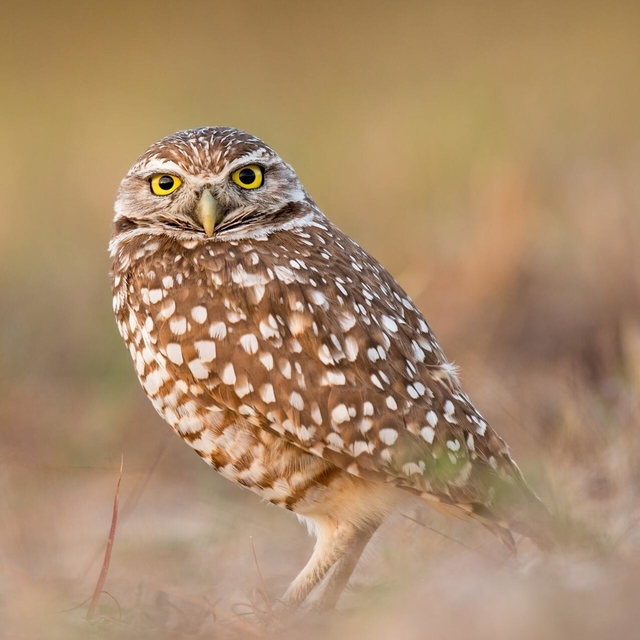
487	153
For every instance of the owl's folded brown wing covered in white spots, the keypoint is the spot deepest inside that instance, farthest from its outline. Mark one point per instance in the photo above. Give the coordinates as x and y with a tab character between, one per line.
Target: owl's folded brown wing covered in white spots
332	355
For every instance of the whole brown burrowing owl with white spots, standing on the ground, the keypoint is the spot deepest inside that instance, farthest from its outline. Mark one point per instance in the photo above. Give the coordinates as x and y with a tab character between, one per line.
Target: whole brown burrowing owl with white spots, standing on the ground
290	359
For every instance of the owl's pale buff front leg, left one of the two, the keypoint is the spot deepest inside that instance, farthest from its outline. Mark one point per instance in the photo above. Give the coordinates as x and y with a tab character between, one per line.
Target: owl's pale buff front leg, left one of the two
335	540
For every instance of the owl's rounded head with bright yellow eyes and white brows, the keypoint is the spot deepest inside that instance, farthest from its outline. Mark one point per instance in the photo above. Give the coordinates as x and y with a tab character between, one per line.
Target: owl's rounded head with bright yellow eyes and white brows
214	182
